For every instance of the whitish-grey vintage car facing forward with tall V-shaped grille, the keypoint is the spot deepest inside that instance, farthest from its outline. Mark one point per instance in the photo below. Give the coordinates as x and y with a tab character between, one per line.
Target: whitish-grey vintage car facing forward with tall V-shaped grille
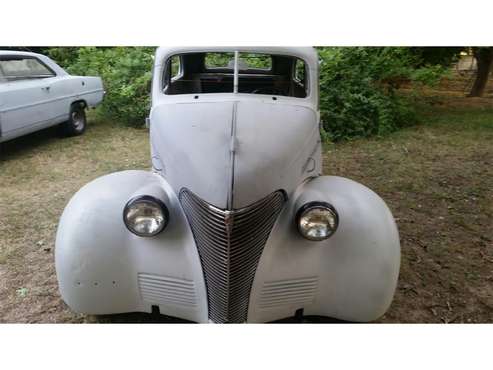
235	222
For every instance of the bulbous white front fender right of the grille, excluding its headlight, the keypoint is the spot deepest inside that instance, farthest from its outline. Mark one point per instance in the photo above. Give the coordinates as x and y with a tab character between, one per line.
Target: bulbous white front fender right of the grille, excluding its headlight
350	276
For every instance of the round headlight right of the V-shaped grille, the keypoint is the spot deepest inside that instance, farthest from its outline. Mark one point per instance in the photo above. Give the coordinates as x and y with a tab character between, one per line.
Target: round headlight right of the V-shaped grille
317	220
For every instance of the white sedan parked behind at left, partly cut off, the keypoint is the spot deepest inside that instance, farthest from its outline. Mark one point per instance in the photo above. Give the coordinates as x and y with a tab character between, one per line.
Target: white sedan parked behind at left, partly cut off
36	93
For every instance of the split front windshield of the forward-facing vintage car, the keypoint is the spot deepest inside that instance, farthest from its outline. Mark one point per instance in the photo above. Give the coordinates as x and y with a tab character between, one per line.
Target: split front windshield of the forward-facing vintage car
227	72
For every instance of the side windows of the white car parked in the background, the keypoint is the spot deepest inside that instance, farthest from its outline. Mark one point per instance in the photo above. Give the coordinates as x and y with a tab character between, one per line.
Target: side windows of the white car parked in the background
22	68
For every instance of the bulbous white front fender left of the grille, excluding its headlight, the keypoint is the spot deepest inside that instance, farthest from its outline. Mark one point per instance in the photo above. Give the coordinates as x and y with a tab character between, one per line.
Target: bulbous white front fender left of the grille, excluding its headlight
102	268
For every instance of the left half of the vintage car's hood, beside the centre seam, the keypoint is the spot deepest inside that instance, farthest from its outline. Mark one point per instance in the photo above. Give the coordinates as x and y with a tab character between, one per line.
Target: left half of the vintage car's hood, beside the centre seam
201	165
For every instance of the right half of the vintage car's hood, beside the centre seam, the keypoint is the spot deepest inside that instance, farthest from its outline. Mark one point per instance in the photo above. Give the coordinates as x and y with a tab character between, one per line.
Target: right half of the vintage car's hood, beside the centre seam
276	147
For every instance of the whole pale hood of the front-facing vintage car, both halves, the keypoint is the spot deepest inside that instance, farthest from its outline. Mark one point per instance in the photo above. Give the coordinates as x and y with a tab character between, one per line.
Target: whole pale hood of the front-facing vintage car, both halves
233	153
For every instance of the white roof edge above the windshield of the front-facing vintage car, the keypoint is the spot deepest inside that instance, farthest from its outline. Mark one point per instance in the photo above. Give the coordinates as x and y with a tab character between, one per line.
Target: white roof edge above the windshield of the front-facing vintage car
308	54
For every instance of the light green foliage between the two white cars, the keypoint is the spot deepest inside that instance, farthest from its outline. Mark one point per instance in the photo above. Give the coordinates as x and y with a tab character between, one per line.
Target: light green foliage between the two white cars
126	74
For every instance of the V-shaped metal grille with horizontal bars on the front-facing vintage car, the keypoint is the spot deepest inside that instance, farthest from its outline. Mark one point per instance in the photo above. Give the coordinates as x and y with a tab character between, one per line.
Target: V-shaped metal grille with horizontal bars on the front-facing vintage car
230	244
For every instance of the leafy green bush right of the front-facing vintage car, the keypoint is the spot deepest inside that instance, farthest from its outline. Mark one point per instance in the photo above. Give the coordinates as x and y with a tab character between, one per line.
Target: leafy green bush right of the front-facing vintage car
358	89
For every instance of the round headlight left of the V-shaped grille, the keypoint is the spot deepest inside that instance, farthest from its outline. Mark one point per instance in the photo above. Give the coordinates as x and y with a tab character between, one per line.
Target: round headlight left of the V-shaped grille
145	215
